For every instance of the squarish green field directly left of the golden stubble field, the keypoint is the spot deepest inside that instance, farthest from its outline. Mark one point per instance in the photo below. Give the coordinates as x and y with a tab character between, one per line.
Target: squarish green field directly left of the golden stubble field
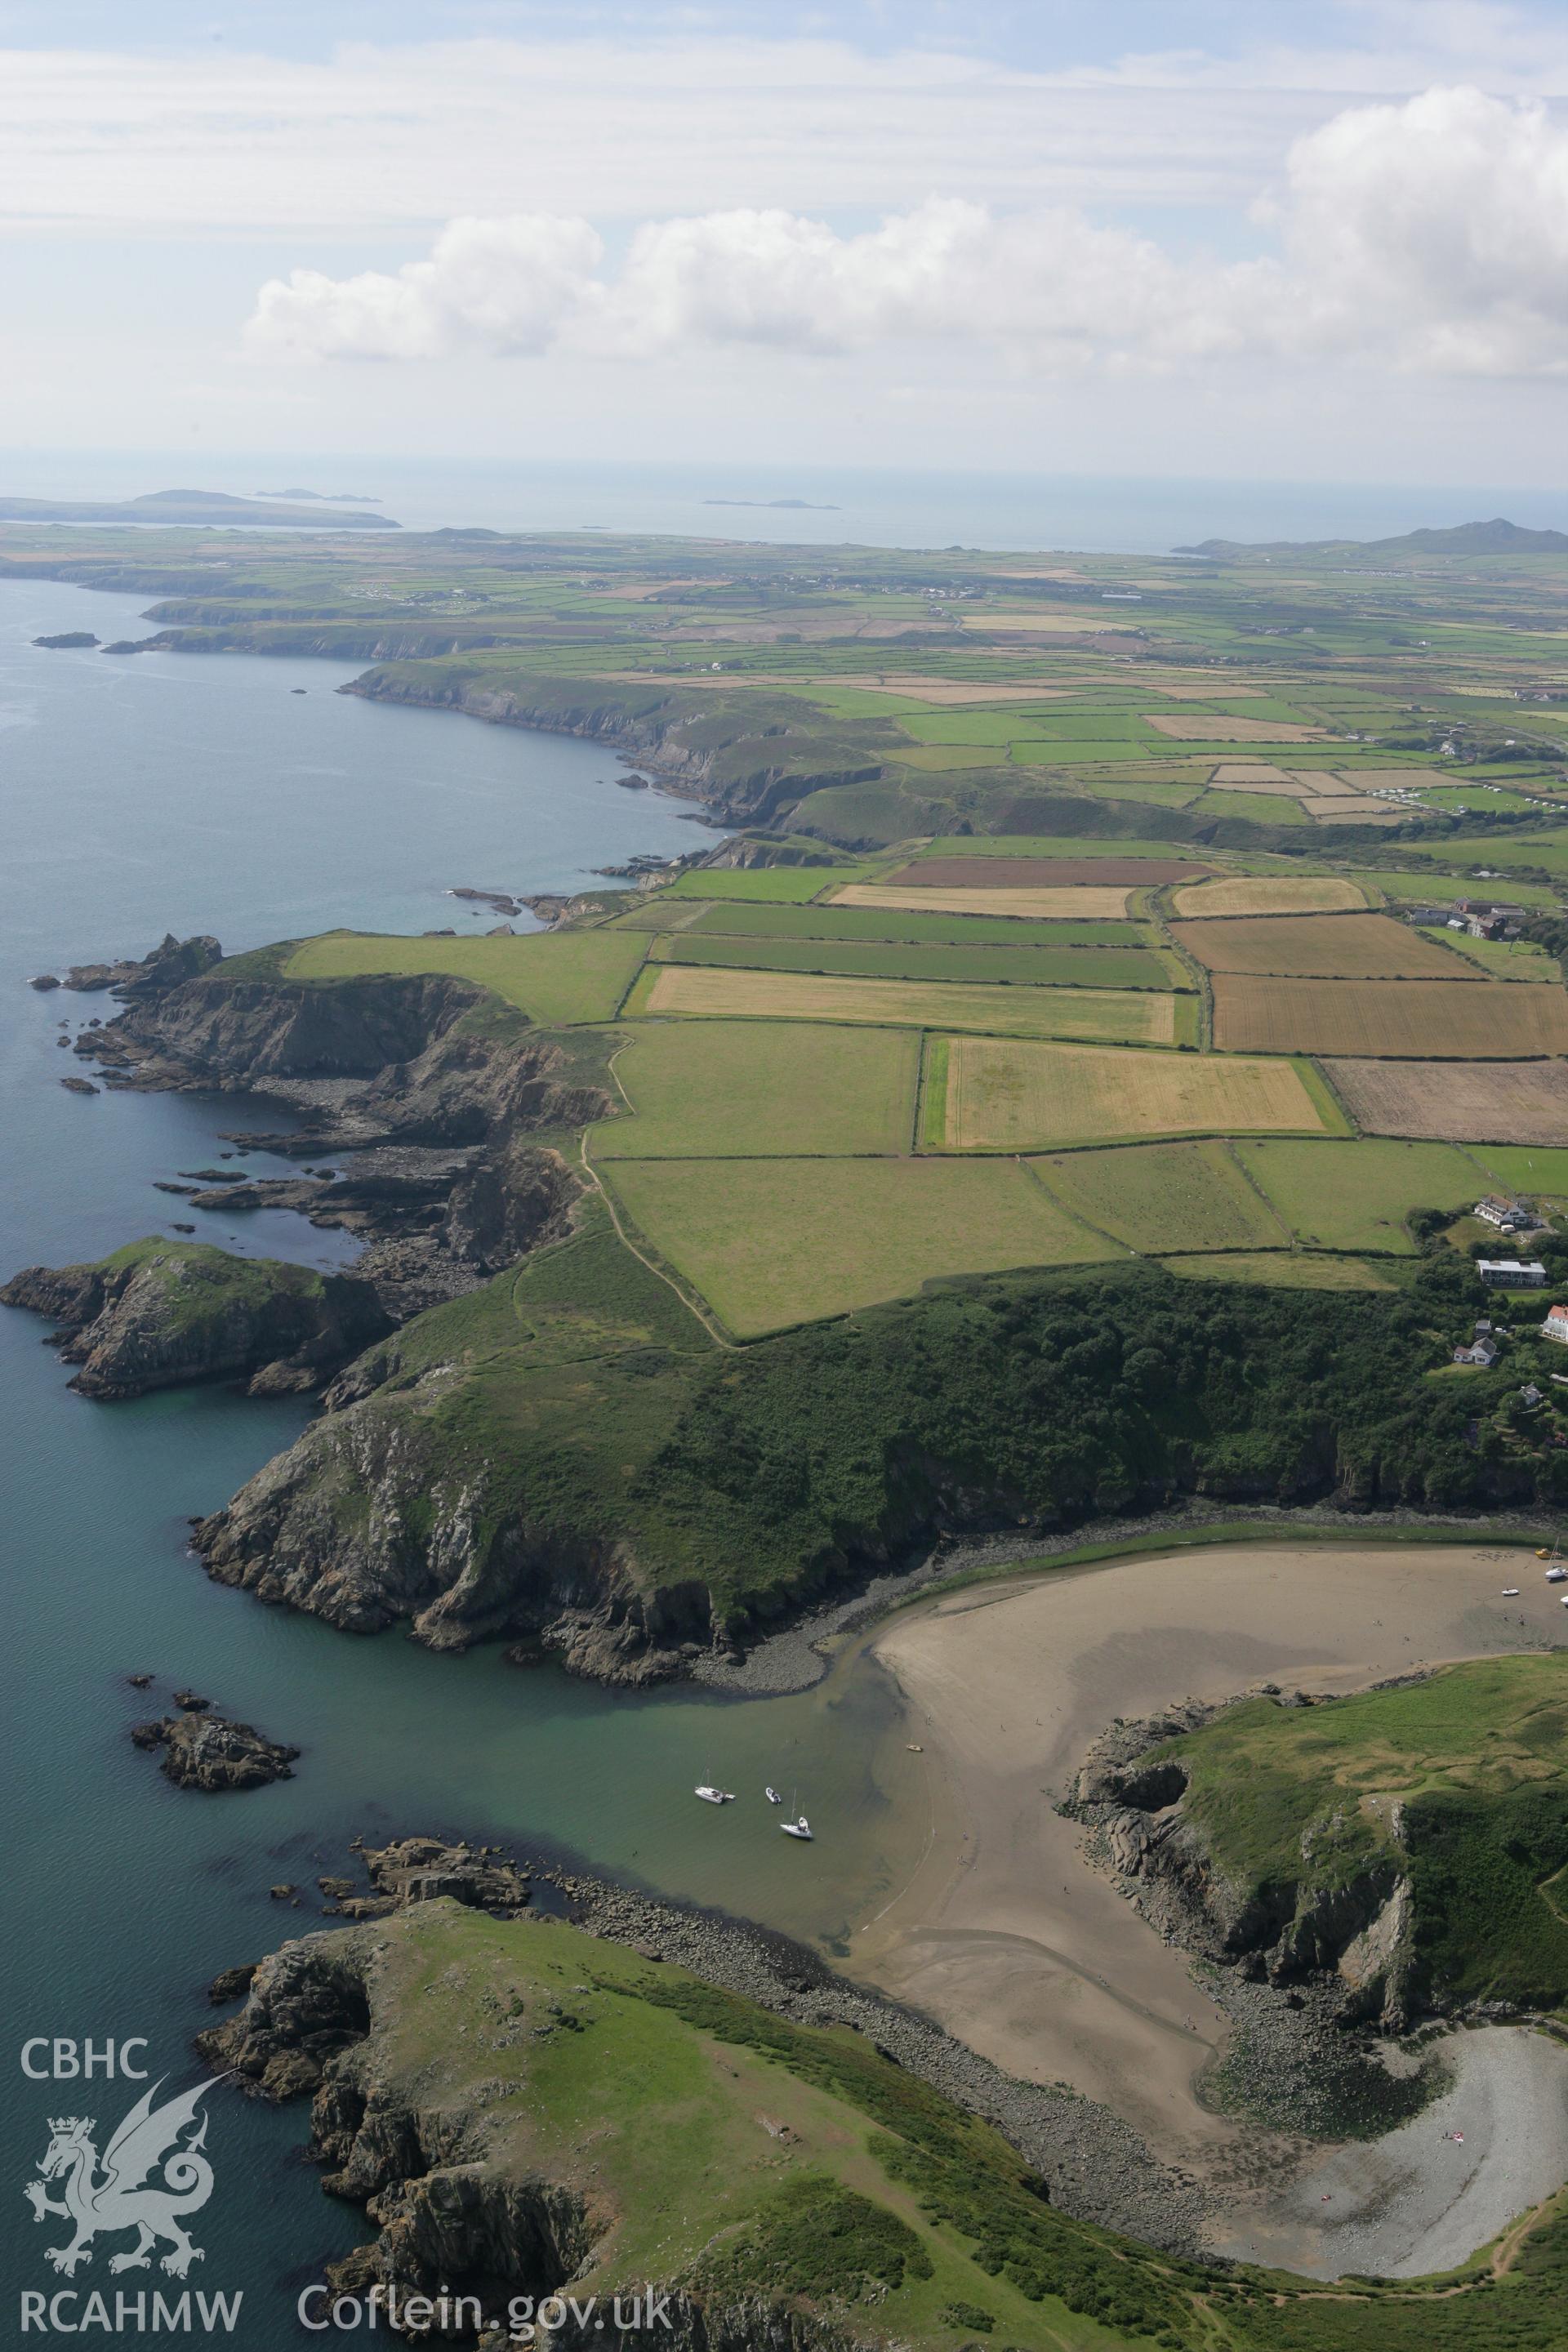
721	1088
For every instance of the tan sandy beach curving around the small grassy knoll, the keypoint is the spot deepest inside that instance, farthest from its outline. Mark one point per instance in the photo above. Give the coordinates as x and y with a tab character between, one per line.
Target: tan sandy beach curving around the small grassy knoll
1005	1935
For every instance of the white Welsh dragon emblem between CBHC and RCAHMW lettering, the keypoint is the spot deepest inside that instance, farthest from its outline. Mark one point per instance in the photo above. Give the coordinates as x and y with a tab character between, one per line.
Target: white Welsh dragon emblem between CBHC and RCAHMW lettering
116	2193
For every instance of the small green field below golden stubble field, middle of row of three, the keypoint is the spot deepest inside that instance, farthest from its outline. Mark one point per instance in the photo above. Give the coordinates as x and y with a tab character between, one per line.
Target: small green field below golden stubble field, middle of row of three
1155	1194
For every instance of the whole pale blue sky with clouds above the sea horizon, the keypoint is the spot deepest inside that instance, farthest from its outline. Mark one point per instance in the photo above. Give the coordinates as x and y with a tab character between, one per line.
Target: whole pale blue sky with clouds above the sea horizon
1167	236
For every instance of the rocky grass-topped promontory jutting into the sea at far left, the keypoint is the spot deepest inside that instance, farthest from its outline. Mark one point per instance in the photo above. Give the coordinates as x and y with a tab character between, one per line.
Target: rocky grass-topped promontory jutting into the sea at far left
168	1314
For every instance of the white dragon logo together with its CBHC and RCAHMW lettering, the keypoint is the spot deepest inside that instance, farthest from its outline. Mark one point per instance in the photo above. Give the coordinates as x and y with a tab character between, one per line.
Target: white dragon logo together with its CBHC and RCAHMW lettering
152	2179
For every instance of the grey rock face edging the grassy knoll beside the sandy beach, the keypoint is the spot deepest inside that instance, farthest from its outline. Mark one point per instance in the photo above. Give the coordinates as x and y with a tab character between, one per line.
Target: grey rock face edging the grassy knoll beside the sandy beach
1351	1937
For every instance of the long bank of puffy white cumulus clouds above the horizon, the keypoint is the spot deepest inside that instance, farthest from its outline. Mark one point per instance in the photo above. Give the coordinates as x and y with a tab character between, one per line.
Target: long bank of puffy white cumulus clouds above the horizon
1430	236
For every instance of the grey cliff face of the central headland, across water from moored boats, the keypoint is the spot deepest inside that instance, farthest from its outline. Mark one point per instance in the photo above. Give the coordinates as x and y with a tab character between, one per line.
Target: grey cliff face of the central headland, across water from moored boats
366	1525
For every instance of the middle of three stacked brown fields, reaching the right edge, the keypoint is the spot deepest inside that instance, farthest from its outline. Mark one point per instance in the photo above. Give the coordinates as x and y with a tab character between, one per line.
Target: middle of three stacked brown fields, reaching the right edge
1419	1020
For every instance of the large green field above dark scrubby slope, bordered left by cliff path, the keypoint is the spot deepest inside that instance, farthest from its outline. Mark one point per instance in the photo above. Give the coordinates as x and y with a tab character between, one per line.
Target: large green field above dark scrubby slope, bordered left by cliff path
777	1243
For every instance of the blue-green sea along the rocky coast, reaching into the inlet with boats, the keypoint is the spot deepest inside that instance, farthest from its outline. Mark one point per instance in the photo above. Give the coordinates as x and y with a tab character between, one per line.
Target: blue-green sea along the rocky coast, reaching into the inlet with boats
248	799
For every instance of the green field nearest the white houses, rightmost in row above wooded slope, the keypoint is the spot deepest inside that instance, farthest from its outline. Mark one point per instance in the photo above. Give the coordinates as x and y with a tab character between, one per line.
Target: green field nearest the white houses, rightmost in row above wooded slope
1358	1196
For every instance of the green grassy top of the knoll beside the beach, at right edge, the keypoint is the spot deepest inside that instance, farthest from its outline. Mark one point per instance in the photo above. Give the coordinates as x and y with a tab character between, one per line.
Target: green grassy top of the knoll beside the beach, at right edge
1477	1763
